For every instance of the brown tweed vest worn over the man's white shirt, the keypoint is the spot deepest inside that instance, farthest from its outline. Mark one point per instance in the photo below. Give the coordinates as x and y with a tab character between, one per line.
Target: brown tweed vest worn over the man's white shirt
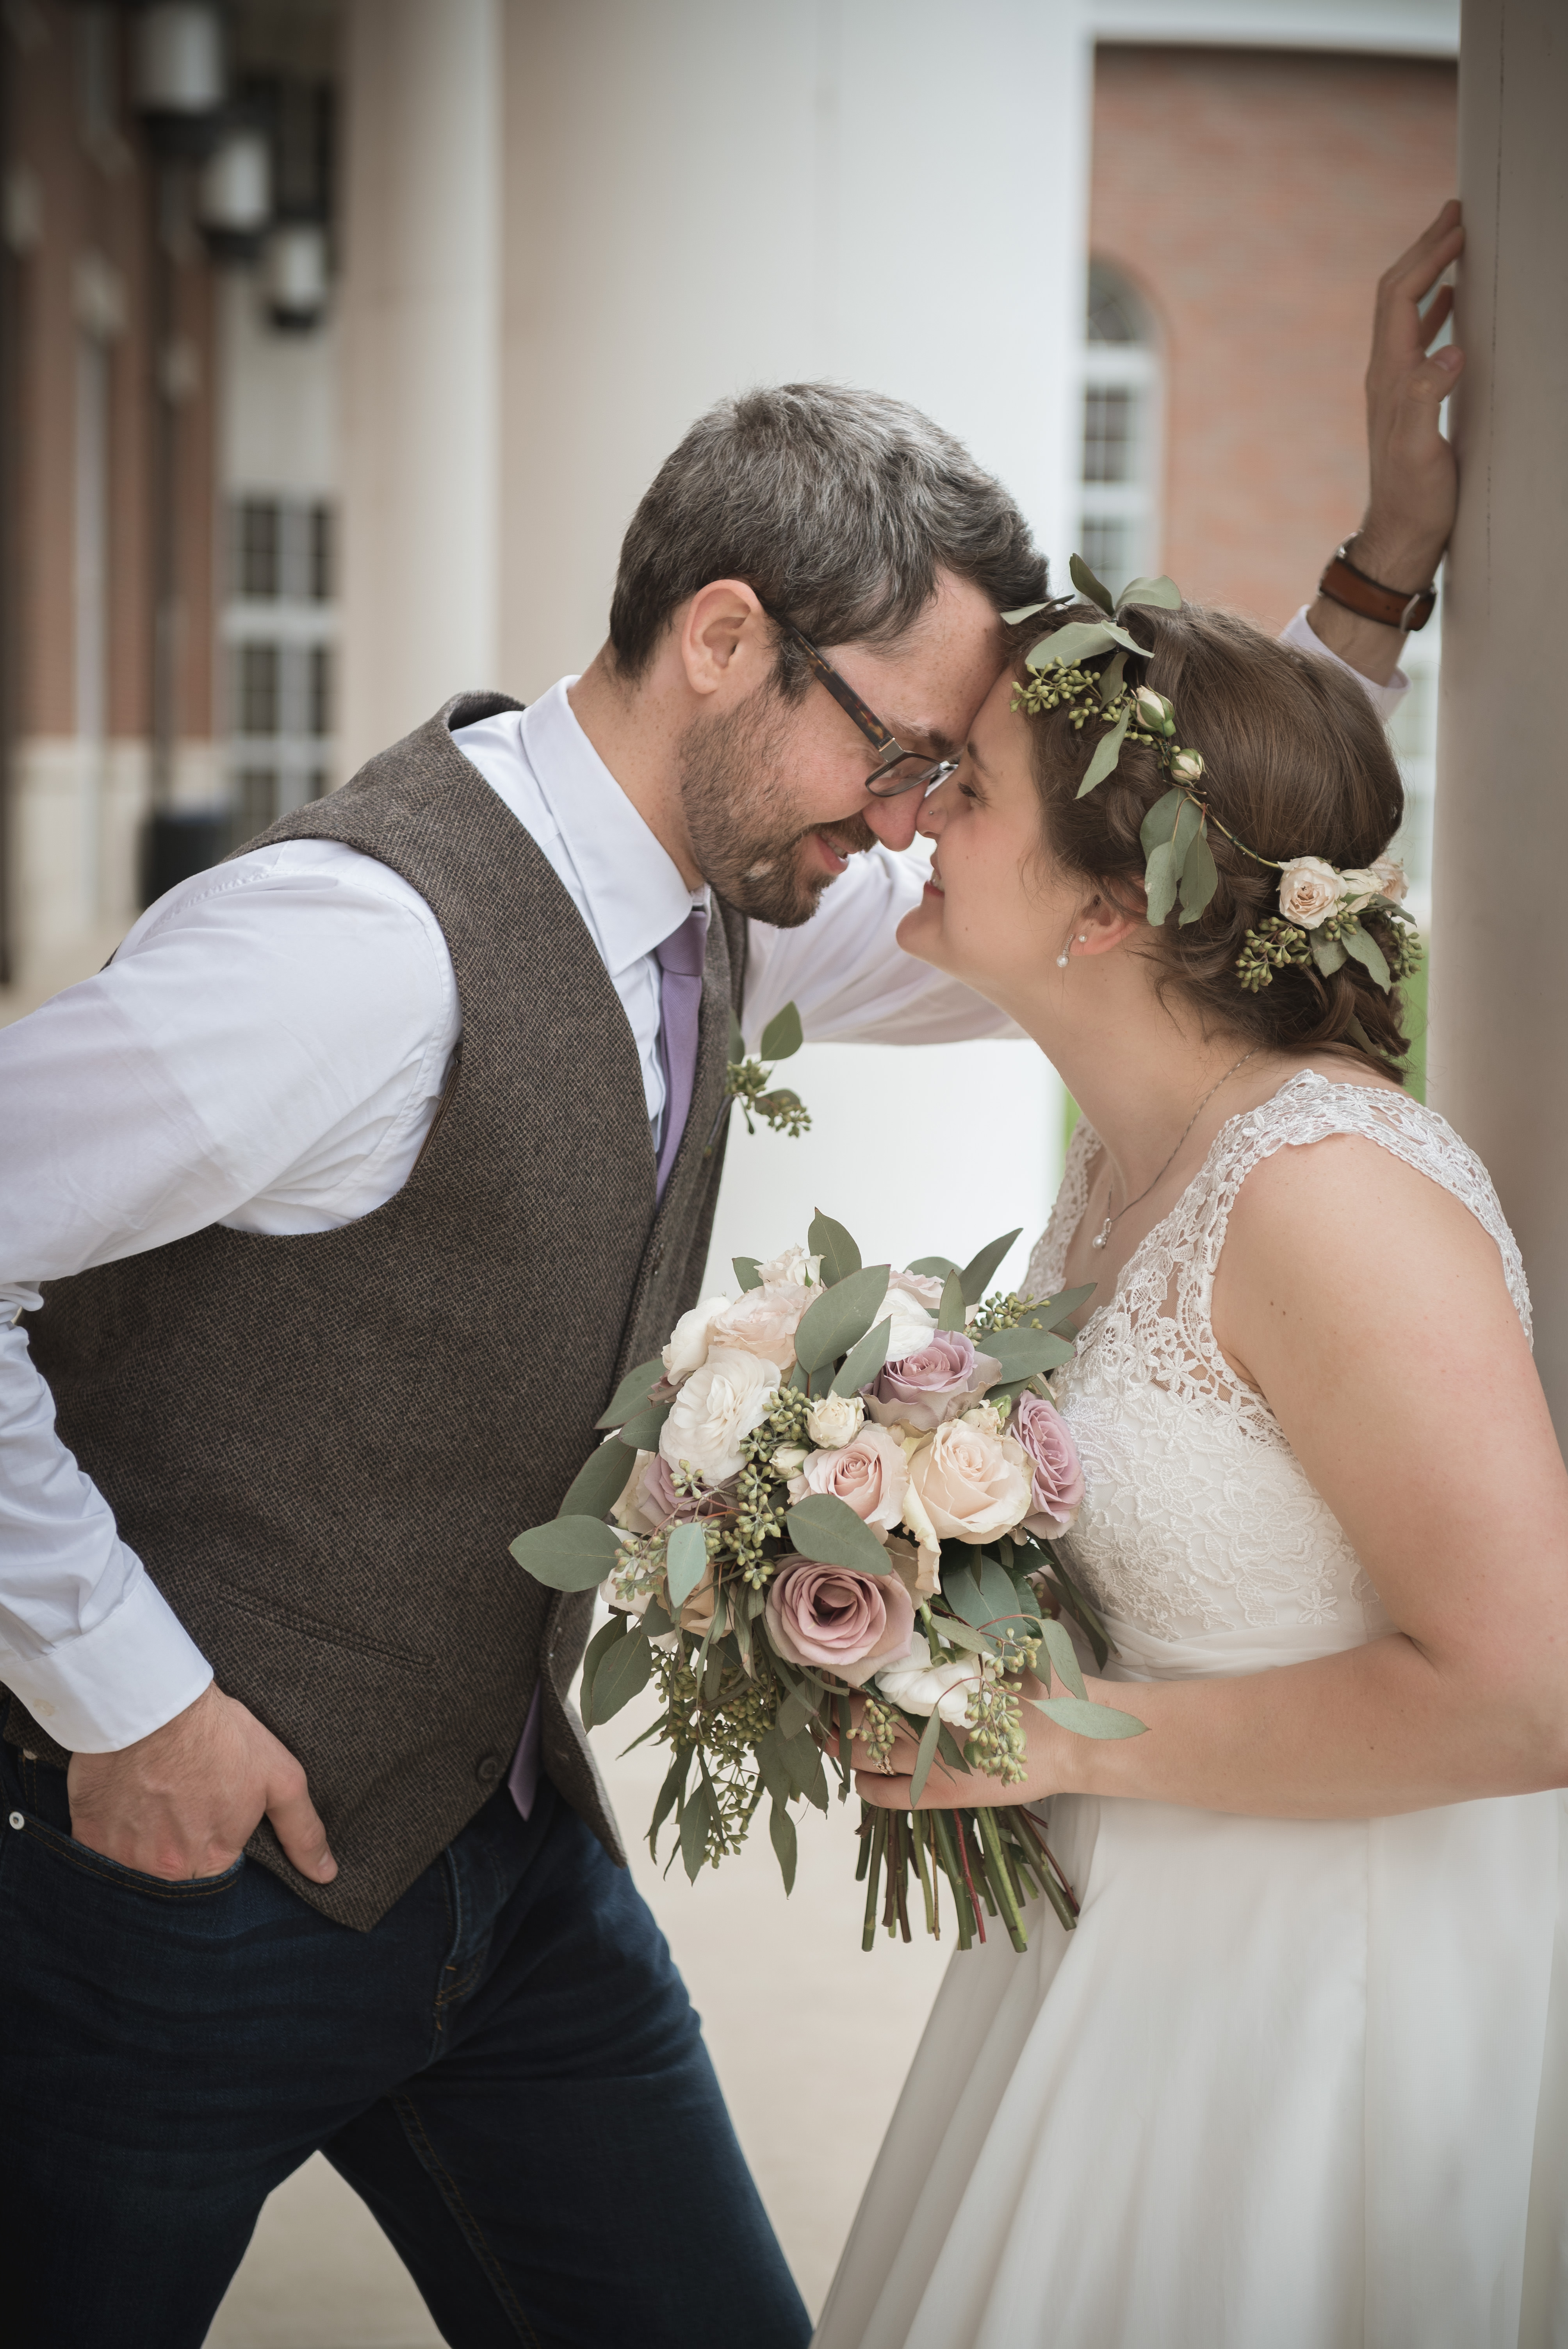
323	1446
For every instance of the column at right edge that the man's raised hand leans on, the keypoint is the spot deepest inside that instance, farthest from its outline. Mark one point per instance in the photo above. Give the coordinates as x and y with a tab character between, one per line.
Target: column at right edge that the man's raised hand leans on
1501	852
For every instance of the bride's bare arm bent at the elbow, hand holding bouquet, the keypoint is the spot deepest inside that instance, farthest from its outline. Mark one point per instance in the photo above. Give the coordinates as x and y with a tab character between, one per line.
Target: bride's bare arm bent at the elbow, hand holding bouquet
1370	1307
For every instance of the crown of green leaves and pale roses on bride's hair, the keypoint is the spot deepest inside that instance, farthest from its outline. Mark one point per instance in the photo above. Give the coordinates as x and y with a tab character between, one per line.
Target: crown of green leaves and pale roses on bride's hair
1320	908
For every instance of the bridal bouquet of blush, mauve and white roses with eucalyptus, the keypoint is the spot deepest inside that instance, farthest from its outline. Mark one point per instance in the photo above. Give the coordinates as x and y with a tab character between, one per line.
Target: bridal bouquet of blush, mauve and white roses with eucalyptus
830	1509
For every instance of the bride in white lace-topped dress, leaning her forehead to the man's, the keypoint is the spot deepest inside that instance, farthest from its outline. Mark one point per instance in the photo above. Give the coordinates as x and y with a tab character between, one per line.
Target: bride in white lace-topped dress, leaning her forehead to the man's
1299	2080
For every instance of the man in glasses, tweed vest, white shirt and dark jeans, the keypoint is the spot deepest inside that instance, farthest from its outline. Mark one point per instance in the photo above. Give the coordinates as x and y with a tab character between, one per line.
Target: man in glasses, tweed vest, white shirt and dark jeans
353	1185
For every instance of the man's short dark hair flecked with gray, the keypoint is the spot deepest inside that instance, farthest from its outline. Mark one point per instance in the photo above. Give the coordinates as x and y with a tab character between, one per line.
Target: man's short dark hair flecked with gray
834	506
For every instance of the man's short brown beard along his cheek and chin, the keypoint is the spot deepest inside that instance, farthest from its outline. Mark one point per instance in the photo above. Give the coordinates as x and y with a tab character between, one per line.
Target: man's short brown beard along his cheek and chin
743	833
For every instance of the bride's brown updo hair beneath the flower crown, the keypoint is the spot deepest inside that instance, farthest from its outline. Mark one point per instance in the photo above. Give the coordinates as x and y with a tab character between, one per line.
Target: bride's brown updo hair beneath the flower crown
1295	762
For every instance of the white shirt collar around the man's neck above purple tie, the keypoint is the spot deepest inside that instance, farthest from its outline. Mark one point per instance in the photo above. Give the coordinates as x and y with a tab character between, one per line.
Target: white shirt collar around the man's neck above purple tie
633	889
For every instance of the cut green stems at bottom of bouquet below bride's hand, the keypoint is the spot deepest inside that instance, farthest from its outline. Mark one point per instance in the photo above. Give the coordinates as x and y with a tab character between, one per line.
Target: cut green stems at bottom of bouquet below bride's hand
994	1859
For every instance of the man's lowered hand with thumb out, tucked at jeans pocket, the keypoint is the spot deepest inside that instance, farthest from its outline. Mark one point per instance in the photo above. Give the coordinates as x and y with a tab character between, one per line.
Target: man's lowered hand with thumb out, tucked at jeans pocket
187	1801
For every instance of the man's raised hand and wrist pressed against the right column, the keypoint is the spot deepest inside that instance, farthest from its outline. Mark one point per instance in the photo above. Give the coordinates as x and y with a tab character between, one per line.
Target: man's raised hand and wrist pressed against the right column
1414	480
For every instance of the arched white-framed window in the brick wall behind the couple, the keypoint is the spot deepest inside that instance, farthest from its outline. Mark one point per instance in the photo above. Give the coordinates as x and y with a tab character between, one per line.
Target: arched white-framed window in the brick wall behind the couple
1118	499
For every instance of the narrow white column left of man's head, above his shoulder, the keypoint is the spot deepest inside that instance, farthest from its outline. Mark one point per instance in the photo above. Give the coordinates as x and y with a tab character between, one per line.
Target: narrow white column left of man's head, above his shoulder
421	382
